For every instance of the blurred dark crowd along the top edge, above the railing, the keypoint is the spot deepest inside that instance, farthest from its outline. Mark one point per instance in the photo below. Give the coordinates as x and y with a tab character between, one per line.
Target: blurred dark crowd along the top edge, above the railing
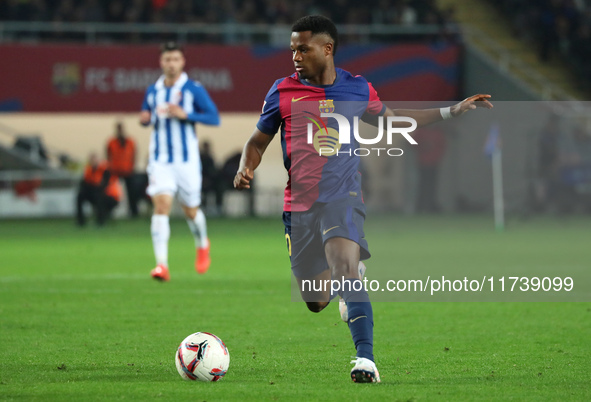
406	12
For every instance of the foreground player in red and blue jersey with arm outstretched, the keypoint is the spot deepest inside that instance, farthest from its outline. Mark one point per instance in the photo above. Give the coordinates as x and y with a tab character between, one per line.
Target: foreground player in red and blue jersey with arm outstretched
324	204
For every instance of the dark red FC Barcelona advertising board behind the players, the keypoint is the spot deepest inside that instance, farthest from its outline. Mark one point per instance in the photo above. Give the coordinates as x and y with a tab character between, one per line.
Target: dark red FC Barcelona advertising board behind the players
78	78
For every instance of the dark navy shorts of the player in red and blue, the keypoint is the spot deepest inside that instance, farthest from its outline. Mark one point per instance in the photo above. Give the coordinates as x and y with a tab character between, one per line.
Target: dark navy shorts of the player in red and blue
306	232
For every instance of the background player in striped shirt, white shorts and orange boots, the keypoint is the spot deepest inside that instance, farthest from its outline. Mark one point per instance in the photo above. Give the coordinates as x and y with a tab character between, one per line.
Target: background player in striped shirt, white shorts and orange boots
173	105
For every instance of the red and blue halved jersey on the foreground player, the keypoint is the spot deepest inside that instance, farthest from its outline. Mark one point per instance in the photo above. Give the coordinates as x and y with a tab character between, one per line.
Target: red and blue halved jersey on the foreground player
321	167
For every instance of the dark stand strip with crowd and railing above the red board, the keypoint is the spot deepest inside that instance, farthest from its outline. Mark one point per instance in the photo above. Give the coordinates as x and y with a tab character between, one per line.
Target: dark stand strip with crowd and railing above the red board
225	22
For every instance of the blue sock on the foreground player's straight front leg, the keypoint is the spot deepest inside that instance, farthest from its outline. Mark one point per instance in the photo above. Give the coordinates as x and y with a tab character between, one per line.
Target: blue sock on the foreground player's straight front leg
360	317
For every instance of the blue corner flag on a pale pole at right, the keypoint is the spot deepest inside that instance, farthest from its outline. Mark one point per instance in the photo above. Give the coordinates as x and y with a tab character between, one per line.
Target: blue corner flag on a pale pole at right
492	148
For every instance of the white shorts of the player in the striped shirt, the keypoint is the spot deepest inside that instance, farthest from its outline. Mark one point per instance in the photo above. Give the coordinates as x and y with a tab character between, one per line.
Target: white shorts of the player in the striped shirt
183	179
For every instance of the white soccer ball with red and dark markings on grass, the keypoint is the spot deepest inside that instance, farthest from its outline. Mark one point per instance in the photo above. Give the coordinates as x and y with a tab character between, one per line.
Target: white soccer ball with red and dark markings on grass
203	357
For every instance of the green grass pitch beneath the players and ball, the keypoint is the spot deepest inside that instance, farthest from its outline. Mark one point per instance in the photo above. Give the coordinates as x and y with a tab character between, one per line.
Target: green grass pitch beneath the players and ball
80	318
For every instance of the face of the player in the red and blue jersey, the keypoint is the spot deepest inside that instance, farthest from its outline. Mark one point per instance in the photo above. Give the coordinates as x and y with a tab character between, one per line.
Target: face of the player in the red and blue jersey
310	53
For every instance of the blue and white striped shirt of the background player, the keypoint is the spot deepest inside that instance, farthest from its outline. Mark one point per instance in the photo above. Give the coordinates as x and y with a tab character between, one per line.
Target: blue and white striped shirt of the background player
175	140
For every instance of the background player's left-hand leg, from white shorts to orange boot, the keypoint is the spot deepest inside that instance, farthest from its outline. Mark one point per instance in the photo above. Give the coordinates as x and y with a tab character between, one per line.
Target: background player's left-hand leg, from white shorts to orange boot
162	188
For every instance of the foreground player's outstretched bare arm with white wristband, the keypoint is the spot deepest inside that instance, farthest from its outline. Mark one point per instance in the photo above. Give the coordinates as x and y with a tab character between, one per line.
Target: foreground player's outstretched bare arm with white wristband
428	116
